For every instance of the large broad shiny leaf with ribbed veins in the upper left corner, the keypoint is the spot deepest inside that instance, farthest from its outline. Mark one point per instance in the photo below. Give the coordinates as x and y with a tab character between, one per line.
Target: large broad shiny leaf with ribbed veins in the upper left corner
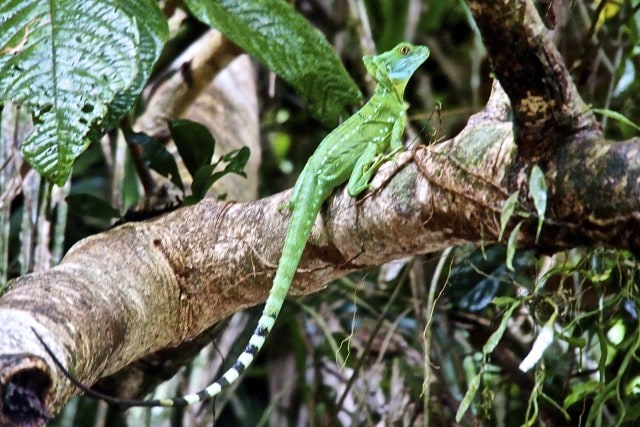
67	62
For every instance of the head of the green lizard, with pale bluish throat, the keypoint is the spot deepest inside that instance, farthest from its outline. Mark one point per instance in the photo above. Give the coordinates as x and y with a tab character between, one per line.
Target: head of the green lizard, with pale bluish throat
396	66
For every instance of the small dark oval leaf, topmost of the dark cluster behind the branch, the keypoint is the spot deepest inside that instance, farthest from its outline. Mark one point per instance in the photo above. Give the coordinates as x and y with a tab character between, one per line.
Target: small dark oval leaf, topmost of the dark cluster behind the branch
194	142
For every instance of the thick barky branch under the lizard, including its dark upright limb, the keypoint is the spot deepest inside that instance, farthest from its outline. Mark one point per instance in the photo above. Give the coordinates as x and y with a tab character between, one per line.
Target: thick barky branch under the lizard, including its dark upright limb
160	284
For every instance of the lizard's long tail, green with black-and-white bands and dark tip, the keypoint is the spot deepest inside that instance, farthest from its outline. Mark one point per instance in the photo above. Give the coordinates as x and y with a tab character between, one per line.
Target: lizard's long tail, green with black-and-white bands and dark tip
305	211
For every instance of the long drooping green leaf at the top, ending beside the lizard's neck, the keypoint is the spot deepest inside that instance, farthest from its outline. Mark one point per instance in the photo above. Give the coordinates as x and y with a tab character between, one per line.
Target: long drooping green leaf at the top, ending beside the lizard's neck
278	36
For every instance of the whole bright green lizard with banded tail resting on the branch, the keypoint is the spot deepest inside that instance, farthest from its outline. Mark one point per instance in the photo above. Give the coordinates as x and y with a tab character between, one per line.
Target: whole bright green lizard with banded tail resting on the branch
353	151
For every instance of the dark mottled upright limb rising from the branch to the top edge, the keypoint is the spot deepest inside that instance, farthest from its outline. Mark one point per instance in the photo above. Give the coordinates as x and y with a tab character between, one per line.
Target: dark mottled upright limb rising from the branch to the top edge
547	109
